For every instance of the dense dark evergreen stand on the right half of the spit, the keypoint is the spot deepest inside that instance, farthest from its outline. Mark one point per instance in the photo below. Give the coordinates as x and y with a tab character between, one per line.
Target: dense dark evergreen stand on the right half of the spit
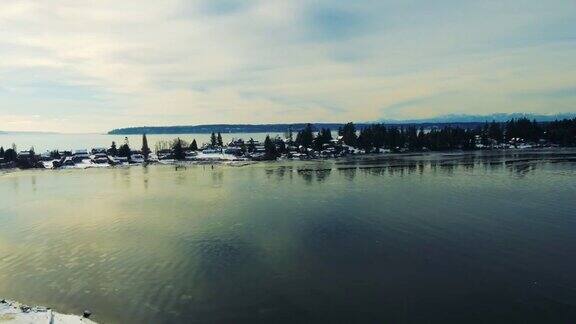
414	138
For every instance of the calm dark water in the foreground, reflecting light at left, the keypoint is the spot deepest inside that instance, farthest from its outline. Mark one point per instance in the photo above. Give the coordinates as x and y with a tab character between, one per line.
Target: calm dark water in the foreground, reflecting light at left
433	239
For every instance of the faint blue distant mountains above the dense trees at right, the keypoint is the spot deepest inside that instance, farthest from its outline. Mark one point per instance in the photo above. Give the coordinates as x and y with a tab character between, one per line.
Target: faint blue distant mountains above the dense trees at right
463	118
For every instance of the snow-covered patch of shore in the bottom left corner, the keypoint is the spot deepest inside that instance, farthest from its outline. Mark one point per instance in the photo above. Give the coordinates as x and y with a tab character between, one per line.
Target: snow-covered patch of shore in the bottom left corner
15	313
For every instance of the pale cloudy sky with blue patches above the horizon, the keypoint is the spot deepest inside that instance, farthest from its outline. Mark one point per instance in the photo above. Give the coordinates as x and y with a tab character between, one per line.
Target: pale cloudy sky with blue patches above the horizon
91	66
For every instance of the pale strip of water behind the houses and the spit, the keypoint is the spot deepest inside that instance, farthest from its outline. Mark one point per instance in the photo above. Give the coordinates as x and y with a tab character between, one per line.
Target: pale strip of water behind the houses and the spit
48	142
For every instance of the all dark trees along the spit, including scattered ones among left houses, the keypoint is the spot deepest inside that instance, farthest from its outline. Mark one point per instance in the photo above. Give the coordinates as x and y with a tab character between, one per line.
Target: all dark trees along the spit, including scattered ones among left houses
372	137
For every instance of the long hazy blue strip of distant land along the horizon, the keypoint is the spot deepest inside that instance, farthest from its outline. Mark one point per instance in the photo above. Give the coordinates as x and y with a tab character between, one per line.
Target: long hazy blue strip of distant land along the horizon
463	121
